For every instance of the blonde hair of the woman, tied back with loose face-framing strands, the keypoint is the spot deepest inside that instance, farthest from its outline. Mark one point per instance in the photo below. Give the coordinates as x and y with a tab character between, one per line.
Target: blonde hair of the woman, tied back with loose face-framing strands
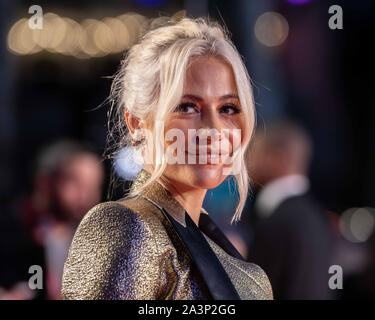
150	82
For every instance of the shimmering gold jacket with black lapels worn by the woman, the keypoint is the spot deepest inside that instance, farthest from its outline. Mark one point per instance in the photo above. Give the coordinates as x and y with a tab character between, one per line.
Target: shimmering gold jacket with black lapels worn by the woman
147	247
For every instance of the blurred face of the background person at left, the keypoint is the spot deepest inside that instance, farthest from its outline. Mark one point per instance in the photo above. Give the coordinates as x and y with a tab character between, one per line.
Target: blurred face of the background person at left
79	185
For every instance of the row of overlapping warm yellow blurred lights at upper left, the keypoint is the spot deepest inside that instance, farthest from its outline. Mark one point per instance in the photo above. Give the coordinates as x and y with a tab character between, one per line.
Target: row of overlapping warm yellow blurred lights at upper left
86	39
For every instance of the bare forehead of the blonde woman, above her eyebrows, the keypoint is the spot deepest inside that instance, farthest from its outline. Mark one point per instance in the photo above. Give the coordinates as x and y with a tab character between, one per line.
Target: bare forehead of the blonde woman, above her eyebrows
209	76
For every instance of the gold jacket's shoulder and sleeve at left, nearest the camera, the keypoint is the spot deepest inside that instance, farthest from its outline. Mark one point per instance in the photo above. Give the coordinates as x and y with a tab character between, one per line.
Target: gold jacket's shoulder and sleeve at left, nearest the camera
111	243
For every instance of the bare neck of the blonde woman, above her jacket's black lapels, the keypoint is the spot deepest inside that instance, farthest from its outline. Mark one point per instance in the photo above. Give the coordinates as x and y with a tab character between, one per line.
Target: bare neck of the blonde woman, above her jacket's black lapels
191	199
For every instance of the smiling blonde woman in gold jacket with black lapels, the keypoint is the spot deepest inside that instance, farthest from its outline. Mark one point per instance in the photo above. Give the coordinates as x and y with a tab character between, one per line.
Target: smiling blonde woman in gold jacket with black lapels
180	81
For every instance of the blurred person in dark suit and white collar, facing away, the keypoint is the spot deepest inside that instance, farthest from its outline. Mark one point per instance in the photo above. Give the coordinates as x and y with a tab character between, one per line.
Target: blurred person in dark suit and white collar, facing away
293	240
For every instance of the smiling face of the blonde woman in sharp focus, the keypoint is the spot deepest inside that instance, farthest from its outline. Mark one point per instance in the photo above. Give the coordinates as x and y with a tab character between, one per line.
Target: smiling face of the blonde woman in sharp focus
210	101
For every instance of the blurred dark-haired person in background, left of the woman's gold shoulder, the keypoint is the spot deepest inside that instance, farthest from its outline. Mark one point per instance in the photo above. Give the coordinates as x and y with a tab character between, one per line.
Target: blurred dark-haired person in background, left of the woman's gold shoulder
68	181
